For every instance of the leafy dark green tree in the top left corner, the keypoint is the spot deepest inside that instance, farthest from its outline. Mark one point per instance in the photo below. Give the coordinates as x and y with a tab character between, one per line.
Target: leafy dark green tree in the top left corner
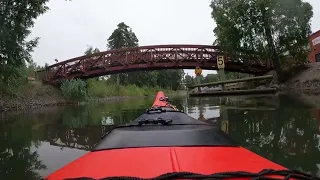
16	20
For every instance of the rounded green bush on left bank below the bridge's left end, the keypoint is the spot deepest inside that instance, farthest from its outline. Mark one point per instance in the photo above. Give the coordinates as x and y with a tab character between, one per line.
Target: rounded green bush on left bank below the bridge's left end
75	89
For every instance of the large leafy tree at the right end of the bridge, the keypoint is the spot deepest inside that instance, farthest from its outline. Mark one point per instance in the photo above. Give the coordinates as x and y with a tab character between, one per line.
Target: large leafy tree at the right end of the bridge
262	29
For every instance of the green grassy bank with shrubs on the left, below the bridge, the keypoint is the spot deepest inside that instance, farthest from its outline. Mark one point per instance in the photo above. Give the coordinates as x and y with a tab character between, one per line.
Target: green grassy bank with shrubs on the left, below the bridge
34	94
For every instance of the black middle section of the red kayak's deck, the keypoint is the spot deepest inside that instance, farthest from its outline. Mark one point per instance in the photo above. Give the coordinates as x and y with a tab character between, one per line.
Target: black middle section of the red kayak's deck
183	131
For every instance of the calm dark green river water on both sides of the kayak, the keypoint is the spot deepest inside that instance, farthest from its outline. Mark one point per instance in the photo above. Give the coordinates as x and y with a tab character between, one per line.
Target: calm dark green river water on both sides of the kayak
279	128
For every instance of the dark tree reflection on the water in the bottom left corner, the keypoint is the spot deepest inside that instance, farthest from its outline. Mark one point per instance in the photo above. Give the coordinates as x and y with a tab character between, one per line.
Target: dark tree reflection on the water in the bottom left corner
17	159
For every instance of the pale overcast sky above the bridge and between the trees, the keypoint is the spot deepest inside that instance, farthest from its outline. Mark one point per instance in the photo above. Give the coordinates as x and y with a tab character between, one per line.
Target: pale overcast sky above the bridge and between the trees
68	28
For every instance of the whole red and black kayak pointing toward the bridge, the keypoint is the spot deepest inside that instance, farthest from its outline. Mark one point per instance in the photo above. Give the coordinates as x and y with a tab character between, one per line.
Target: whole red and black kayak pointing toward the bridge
165	143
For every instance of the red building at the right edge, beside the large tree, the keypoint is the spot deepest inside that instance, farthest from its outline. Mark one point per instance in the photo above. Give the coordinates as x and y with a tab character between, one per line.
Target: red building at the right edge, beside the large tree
314	42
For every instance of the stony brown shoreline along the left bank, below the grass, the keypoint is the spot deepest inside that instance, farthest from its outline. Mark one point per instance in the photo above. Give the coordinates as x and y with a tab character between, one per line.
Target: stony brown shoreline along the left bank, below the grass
38	95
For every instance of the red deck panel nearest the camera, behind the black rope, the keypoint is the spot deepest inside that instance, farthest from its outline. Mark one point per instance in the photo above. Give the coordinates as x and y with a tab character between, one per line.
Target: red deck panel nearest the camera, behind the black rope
151	162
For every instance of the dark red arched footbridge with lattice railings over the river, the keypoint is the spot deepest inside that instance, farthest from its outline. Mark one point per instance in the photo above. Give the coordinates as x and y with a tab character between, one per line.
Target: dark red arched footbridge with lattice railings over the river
147	58
